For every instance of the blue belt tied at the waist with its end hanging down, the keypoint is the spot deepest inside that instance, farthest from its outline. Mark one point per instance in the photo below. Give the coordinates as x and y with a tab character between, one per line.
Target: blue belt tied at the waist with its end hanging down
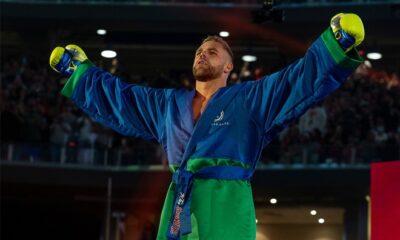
180	223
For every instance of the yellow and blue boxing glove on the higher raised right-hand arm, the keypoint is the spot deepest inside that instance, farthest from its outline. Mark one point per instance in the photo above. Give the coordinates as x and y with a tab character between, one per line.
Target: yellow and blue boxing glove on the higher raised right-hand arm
348	30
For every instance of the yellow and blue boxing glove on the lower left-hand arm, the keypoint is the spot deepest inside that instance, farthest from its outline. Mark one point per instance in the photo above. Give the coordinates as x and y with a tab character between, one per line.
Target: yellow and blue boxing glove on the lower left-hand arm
66	60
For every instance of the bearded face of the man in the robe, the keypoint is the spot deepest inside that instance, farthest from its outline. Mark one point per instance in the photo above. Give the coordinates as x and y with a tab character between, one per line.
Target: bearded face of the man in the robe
211	61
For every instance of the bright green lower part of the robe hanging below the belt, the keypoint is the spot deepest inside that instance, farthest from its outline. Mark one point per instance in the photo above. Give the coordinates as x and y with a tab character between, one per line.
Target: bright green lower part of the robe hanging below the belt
220	209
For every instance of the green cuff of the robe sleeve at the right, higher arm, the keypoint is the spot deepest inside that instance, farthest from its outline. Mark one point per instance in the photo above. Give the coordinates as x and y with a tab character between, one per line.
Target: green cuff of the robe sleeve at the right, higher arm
350	60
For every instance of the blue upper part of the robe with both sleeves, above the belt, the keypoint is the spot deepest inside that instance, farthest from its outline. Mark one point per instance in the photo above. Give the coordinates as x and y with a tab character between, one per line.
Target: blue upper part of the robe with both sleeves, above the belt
237	131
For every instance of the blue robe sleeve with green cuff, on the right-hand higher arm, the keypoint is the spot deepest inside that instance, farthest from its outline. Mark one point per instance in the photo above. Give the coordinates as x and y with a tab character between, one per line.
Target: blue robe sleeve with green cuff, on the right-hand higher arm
283	96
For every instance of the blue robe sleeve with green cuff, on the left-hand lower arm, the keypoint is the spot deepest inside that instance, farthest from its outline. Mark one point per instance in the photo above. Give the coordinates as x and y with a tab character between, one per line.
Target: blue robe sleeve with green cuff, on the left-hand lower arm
129	109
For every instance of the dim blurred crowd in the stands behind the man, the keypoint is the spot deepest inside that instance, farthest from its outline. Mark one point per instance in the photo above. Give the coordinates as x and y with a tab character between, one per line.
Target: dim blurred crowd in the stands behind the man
359	123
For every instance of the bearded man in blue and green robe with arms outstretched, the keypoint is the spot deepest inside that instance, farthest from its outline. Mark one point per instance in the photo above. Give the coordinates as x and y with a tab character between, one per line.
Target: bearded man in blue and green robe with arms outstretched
213	135
